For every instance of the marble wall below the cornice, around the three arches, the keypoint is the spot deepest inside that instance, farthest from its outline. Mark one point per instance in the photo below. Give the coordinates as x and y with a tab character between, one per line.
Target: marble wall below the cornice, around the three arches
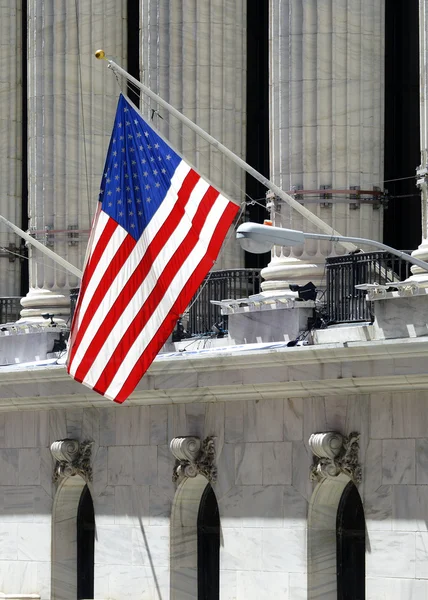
263	490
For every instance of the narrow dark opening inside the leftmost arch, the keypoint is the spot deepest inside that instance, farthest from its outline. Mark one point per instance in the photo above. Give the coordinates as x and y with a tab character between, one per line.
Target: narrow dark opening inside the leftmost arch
85	546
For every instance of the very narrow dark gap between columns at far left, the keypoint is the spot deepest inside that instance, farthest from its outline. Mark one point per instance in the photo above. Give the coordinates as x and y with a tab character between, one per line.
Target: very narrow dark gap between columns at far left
24	173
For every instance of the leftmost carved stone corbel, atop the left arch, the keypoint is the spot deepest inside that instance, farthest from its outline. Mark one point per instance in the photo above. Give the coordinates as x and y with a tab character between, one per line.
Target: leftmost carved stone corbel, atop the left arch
71	458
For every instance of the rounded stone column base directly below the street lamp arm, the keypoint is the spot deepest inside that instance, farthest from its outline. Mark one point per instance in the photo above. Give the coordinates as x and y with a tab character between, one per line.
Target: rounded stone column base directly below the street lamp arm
281	272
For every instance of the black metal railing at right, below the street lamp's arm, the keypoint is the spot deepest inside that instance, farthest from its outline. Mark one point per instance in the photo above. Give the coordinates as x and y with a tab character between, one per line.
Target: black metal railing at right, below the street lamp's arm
344	303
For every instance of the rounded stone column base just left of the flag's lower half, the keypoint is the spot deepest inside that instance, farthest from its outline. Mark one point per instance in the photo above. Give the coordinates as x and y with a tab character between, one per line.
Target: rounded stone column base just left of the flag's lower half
39	302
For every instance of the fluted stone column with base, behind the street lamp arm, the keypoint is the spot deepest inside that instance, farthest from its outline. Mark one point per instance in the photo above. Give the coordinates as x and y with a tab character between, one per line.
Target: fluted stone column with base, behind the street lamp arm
326	114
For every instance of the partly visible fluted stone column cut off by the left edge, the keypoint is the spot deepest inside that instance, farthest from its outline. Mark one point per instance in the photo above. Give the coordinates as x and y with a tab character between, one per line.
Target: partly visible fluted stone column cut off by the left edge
11	144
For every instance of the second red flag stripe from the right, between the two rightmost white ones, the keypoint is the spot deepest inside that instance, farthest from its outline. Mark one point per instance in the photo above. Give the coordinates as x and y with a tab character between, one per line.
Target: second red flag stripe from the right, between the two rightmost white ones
150	304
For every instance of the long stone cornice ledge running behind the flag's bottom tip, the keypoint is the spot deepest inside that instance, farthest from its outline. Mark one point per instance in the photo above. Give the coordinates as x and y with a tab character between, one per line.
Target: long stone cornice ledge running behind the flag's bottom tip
353	368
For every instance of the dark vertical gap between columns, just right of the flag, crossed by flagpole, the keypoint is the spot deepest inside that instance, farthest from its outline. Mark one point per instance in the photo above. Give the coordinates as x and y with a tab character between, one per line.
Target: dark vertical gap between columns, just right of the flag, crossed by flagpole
257	149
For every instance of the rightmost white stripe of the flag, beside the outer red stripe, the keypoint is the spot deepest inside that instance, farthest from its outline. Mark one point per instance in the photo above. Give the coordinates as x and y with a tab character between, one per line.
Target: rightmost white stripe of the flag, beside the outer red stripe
163	308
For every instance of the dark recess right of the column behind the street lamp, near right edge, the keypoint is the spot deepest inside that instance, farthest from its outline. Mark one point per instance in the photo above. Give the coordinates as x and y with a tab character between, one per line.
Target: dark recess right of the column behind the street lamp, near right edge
402	227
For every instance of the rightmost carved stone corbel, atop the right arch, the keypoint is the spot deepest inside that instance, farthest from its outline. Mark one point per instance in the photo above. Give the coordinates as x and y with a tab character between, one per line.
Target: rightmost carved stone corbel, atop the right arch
335	454
